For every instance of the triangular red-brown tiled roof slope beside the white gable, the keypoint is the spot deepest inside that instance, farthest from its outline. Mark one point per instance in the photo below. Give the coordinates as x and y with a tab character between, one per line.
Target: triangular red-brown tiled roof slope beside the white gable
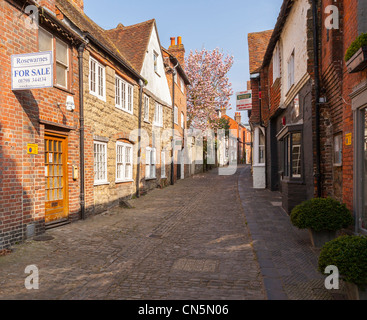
132	41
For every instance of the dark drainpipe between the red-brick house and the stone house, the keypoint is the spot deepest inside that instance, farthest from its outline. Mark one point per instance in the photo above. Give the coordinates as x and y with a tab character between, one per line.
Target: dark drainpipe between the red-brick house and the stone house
81	119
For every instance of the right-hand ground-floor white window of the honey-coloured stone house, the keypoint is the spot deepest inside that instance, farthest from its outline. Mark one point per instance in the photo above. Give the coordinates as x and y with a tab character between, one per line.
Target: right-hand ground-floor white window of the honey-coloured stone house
124	165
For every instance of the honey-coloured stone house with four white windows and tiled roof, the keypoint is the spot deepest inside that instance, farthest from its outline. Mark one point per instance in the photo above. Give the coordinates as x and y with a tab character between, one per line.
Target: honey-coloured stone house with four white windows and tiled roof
111	113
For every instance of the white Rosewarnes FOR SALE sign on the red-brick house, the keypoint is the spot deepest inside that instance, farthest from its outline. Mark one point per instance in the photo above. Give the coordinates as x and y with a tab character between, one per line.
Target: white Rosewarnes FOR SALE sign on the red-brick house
32	71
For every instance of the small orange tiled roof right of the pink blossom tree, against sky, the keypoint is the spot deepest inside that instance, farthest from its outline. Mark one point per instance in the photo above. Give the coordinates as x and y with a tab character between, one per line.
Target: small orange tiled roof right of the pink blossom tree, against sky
257	45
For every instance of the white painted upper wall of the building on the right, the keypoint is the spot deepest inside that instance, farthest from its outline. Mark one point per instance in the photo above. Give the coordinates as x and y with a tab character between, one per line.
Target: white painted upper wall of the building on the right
294	37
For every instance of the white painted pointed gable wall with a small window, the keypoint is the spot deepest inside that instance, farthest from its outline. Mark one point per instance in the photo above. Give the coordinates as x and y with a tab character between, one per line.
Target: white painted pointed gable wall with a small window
157	83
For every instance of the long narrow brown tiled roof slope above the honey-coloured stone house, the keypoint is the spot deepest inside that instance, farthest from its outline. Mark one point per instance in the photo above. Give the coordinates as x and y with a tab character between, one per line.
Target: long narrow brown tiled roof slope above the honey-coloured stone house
85	24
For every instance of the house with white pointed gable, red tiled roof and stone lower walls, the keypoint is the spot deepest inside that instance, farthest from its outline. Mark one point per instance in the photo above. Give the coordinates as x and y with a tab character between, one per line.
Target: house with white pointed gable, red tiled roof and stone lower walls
140	44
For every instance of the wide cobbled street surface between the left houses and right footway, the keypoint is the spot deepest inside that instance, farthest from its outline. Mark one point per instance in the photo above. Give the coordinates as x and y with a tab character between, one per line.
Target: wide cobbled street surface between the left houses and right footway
189	241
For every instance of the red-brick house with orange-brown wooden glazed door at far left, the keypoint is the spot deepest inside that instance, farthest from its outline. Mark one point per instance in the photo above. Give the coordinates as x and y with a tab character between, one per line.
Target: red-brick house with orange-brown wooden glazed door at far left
40	186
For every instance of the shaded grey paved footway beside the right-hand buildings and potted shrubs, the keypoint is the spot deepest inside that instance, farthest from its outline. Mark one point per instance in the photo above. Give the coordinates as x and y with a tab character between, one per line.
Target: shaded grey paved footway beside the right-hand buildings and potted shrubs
287	260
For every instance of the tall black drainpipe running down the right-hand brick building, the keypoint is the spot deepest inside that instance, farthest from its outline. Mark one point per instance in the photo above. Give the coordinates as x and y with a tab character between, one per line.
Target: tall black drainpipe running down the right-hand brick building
317	95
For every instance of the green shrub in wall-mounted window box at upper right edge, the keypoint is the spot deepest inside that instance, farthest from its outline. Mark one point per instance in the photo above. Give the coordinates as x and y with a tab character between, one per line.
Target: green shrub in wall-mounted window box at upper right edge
356	56
